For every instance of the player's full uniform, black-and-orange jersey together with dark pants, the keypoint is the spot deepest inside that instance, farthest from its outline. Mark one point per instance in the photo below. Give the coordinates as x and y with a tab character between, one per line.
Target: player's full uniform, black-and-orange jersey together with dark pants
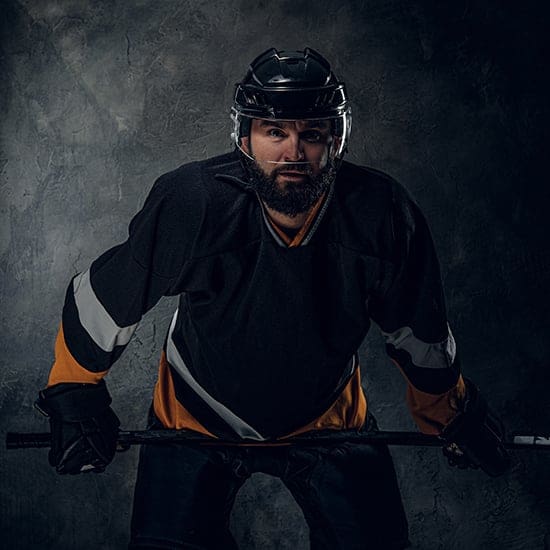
264	345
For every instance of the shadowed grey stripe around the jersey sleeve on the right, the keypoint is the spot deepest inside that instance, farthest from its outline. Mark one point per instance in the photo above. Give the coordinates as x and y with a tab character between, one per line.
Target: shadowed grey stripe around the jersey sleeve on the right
430	356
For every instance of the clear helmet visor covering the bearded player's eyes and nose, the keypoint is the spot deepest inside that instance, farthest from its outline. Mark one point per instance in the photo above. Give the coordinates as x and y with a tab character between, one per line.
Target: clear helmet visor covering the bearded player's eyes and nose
291	141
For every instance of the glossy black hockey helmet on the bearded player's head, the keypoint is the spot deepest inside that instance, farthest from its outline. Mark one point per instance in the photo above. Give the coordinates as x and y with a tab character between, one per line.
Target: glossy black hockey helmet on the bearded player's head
292	85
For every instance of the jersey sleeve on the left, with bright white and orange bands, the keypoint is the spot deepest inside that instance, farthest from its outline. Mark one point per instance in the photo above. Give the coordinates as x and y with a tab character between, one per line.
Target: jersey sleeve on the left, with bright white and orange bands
104	304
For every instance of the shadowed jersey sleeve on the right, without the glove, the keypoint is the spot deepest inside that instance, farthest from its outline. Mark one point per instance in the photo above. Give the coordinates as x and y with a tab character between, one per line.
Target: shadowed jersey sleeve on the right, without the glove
410	311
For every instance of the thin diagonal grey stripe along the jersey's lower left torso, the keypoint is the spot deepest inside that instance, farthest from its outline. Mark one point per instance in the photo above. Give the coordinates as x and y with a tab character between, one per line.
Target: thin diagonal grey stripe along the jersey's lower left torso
237	424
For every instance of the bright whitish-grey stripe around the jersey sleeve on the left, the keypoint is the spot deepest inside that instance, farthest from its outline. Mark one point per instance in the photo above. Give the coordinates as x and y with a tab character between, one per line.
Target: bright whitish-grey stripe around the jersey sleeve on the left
94	317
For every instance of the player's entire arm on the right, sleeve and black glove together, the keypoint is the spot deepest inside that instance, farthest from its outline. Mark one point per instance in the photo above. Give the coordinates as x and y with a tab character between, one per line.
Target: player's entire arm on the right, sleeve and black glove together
410	311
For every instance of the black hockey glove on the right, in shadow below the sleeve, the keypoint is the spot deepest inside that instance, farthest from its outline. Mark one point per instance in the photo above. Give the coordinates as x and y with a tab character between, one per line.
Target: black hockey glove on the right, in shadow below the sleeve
475	436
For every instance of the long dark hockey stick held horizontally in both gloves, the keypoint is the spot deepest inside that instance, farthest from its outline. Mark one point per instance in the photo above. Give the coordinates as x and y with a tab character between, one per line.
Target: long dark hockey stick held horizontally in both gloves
15	440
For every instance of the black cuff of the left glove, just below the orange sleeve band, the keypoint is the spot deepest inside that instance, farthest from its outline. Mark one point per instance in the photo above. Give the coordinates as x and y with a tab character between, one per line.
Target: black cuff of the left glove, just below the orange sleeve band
74	402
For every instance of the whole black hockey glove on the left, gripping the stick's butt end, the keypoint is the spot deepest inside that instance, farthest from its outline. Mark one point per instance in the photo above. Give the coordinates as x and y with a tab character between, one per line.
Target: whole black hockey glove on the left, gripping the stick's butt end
84	428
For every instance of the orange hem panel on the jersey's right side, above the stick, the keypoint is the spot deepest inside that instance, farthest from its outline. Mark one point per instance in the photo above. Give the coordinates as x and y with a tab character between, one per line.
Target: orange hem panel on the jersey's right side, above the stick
348	412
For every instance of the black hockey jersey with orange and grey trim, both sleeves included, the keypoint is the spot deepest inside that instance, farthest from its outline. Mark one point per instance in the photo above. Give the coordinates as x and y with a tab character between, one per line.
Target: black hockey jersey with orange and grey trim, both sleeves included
264	341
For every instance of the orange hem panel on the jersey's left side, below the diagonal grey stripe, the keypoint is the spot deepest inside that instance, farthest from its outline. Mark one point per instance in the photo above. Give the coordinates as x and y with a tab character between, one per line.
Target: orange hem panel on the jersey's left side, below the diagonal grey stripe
168	409
